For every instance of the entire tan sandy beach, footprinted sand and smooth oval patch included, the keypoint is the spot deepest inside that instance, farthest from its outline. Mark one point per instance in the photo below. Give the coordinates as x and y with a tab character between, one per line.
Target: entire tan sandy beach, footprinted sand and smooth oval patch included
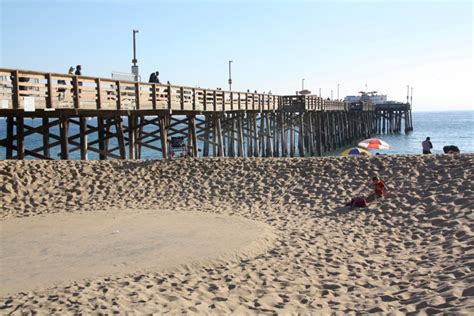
238	236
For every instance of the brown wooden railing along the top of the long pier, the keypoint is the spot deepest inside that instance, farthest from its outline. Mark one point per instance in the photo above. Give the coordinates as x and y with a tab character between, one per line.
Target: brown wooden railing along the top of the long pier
32	90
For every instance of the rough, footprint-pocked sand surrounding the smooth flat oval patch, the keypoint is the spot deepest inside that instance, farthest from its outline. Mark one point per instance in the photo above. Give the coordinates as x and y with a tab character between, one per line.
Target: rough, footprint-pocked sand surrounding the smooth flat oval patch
410	252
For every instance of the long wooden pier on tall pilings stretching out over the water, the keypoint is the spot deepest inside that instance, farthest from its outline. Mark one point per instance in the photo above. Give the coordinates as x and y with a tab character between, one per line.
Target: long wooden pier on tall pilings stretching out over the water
113	119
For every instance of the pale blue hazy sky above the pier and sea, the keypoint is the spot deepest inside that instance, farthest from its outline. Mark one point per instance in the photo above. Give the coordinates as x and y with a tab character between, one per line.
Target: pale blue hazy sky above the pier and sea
385	45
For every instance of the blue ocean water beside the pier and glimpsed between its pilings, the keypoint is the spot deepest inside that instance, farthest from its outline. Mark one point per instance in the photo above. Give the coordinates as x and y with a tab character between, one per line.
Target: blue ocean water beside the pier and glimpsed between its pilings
444	128
